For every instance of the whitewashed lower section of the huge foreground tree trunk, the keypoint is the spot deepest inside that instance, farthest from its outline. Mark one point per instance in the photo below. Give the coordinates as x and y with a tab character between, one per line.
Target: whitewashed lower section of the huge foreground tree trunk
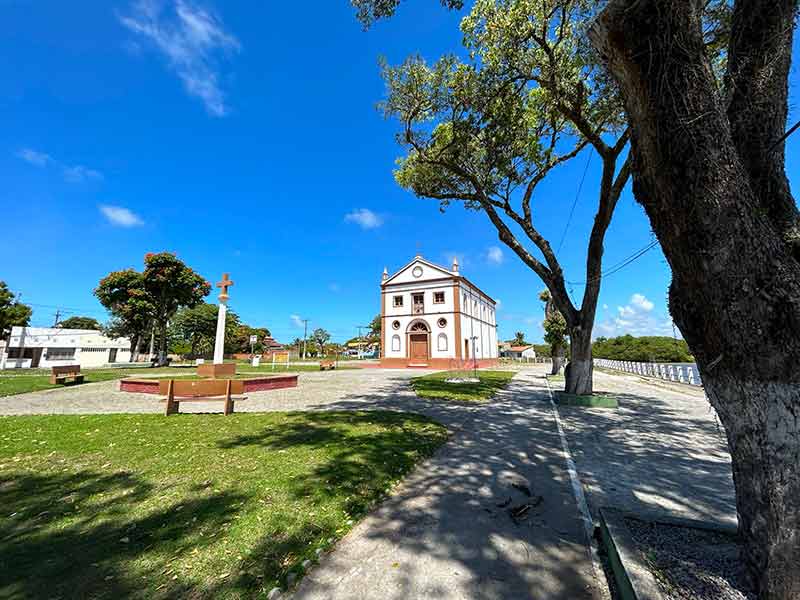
761	423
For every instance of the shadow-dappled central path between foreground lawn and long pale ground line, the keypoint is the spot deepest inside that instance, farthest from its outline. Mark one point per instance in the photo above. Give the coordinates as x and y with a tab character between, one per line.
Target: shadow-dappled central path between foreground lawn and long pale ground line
447	532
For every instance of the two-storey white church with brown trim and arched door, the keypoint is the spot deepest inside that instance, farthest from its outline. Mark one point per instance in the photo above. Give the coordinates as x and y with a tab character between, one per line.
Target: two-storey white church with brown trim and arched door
434	317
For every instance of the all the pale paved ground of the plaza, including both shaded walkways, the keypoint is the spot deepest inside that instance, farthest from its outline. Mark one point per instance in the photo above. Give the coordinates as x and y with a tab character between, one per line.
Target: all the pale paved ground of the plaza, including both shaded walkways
447	532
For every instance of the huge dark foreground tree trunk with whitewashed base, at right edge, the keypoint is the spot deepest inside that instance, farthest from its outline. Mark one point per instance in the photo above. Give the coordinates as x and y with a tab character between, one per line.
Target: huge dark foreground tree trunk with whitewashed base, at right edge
735	292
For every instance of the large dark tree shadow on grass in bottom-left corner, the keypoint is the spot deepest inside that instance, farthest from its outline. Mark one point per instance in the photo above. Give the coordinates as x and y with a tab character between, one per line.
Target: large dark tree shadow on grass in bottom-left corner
80	535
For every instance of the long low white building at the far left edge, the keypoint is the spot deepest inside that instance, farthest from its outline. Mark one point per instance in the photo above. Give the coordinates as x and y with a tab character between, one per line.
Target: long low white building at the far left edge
47	347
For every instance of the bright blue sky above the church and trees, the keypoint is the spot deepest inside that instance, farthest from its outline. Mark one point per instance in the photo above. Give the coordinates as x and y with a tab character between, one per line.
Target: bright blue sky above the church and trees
244	137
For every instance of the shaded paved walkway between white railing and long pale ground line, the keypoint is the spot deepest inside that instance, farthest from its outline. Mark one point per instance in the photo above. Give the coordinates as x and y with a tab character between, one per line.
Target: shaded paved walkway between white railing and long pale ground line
662	452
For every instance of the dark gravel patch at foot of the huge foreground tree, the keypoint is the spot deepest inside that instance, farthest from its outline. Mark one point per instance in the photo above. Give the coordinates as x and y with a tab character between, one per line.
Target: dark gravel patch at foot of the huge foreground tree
688	563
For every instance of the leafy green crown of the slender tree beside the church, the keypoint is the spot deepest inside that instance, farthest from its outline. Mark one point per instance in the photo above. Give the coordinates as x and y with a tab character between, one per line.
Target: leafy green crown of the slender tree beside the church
477	131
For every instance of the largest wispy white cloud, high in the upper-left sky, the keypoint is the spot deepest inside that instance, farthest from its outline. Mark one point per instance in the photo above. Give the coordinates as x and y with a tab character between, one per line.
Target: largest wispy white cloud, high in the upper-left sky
190	40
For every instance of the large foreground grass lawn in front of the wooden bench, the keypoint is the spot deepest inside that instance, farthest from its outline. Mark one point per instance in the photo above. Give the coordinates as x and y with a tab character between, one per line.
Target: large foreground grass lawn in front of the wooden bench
193	506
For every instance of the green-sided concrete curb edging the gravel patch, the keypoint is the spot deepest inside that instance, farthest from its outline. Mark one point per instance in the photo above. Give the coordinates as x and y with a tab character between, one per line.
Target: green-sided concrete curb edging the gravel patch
634	580
